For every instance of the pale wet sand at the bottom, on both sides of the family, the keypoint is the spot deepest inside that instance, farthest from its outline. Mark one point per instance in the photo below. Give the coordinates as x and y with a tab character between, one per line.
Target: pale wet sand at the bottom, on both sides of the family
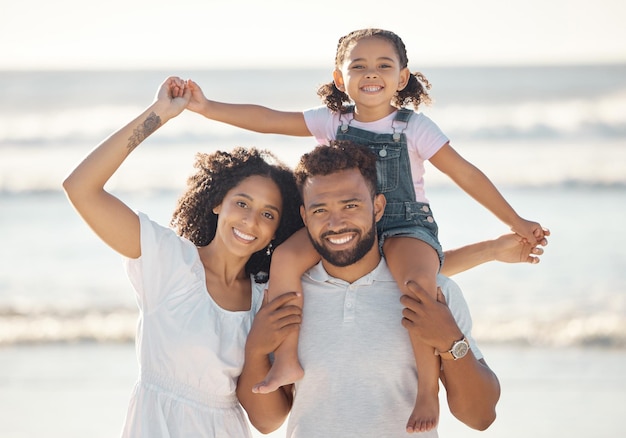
80	390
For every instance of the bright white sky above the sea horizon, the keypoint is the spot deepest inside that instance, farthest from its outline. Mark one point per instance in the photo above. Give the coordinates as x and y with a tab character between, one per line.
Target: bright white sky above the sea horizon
209	34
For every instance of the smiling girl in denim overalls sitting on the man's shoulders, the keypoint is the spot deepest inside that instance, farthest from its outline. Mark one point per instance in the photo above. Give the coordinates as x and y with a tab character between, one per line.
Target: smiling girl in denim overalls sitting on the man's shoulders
367	102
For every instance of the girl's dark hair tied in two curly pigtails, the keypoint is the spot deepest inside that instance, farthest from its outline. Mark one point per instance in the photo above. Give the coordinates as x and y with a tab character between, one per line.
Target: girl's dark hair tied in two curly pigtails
412	95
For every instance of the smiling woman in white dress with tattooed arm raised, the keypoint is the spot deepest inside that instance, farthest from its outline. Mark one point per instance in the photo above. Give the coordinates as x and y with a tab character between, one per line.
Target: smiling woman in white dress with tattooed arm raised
194	285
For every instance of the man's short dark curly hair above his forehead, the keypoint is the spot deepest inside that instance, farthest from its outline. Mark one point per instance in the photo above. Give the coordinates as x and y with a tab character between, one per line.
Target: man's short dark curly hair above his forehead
339	155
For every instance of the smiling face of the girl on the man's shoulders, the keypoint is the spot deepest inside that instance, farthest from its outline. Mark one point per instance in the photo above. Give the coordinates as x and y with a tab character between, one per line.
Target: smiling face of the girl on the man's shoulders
371	75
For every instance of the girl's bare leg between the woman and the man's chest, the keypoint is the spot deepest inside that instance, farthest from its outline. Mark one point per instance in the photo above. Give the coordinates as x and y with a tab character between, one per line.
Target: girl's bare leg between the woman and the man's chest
290	260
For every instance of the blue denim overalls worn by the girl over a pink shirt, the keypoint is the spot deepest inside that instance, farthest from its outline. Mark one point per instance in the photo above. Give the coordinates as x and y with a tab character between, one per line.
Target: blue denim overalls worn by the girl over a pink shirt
403	215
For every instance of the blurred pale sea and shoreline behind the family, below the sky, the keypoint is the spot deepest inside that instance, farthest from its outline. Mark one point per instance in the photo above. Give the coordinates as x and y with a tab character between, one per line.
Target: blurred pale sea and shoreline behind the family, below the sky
553	139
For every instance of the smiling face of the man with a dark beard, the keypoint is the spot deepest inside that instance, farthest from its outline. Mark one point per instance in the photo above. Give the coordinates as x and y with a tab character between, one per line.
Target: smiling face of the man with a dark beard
341	216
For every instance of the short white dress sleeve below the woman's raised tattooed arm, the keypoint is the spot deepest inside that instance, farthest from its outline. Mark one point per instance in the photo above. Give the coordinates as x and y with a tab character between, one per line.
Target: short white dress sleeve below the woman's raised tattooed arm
166	259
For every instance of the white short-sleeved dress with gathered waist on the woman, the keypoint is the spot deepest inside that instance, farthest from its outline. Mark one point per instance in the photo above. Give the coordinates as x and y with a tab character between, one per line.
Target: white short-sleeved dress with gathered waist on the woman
190	350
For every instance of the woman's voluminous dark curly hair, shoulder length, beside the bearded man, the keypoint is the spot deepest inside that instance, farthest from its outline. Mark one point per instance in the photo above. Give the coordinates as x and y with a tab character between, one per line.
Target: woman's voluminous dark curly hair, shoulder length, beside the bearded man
215	175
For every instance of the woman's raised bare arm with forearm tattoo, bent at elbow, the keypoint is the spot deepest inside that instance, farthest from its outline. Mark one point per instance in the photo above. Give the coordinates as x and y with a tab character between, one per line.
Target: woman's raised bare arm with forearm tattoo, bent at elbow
112	220
